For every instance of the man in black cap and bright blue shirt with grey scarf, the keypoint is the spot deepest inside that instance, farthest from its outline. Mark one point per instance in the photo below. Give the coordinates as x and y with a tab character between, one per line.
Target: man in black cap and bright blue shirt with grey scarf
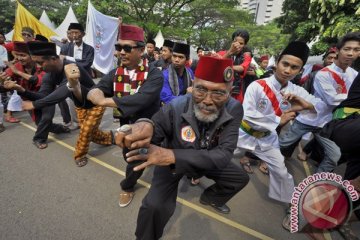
177	77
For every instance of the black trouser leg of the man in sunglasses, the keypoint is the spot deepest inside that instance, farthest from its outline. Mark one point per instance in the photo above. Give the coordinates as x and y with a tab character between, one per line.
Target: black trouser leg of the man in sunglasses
132	176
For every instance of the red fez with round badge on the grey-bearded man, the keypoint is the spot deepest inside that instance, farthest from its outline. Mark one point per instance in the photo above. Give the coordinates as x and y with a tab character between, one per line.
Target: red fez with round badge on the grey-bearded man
213	69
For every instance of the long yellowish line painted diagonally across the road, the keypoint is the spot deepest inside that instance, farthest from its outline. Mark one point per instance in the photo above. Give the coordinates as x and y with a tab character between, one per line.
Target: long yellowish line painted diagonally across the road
179	200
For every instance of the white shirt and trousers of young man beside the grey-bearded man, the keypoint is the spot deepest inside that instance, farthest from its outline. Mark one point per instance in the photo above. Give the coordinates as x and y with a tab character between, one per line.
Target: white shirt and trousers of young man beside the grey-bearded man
260	115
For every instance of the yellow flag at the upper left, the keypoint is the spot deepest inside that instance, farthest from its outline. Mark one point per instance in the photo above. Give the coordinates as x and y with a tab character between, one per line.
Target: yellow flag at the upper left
24	18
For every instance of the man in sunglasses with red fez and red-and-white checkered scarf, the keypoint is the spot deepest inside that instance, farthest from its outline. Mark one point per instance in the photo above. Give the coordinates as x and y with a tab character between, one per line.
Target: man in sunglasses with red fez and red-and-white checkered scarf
133	90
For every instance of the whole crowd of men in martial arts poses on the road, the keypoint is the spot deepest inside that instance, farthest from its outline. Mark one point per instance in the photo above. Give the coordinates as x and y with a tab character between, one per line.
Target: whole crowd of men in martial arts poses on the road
188	117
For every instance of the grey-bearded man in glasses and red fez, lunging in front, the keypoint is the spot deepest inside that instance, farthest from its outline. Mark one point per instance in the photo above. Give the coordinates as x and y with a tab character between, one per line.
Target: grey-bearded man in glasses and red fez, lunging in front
195	134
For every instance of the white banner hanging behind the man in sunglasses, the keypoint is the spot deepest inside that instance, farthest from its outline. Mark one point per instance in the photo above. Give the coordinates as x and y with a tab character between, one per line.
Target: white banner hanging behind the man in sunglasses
101	34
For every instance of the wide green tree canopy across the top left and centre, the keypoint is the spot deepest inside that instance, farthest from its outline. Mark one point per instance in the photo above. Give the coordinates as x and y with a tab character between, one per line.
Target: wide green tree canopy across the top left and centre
200	23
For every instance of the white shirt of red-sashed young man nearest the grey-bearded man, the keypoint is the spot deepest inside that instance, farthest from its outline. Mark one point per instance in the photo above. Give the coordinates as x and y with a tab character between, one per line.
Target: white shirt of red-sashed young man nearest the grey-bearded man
260	114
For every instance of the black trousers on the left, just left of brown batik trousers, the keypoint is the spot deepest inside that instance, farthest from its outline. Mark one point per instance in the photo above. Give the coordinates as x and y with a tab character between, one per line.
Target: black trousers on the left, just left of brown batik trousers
43	120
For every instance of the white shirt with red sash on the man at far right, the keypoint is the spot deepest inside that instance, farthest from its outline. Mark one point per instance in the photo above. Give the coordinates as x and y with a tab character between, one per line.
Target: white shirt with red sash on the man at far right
325	88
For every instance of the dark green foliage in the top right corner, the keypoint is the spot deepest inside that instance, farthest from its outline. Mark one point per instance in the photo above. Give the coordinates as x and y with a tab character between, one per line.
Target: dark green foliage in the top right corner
328	19
